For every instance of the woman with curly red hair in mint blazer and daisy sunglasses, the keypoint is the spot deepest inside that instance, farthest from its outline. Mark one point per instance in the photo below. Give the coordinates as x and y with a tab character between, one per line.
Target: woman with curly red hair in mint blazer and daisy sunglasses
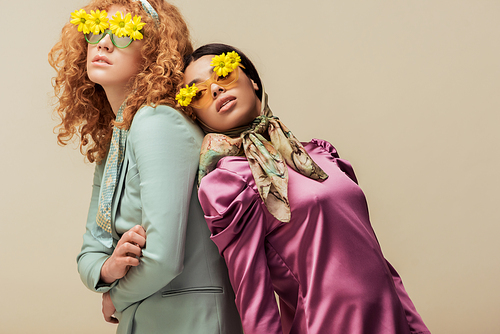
146	245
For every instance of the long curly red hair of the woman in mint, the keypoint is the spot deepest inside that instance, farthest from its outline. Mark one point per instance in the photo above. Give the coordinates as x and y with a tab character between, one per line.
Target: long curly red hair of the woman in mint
82	105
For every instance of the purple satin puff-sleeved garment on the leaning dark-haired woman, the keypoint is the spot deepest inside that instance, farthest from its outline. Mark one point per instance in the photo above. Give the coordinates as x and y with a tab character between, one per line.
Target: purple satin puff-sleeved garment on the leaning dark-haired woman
325	265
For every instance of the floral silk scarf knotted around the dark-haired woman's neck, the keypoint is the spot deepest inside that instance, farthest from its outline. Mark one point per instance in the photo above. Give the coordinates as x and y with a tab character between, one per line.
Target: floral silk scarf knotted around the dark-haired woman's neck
267	157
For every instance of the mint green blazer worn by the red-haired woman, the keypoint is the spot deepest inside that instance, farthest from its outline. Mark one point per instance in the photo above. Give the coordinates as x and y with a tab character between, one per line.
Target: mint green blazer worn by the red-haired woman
181	285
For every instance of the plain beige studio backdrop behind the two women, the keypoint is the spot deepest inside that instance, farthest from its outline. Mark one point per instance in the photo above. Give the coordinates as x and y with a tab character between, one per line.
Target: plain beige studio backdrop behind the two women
408	91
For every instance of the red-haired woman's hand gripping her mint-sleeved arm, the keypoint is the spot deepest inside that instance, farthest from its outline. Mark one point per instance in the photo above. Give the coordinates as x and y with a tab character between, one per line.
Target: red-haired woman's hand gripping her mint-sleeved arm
126	254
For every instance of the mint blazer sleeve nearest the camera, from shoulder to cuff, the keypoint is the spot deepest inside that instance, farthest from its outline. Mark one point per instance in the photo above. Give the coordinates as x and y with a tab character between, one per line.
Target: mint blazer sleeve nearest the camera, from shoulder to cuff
167	154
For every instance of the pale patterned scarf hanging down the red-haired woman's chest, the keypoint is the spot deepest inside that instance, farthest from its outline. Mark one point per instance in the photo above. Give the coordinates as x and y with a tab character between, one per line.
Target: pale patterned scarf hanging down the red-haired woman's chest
102	229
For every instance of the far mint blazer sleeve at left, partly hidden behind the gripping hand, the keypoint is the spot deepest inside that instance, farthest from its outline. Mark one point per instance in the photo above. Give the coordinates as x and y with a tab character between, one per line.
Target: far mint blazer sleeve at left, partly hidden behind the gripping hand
93	254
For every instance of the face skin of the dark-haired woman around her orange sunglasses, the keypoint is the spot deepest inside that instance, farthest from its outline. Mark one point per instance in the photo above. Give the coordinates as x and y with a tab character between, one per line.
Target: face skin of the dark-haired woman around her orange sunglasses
228	108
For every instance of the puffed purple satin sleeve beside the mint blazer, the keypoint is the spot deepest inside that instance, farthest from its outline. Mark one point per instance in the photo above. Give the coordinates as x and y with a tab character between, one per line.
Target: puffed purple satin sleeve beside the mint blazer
235	215
